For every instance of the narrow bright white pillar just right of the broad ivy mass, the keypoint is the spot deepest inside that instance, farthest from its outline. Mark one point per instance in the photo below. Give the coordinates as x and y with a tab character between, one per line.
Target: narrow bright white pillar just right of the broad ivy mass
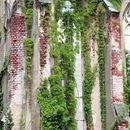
80	117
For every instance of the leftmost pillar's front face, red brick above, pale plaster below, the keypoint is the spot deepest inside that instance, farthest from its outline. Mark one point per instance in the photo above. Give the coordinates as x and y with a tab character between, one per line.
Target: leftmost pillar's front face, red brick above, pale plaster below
16	68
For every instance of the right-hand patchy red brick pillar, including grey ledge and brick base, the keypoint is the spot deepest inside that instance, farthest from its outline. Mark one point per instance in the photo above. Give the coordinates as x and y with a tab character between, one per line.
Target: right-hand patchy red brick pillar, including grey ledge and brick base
117	55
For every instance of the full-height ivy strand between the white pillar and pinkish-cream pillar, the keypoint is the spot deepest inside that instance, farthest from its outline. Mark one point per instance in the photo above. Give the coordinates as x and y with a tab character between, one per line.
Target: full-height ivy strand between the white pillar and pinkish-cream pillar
89	32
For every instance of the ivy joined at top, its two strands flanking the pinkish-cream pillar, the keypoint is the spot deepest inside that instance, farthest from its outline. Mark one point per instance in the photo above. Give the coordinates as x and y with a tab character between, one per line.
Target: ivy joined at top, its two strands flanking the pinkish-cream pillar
94	24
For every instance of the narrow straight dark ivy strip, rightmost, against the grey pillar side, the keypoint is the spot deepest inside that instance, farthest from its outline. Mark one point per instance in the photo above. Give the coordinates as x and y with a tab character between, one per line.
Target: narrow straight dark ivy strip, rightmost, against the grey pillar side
101	61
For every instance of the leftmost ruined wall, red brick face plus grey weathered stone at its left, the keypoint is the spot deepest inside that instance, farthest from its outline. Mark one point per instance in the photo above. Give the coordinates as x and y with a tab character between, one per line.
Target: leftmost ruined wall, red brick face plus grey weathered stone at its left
12	28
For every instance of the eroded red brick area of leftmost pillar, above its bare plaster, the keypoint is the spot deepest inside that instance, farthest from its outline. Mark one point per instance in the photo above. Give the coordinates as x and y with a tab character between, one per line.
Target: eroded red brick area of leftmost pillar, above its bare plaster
17	32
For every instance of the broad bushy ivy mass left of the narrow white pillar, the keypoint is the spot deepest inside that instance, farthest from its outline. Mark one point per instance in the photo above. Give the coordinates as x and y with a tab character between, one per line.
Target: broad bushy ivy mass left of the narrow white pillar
62	81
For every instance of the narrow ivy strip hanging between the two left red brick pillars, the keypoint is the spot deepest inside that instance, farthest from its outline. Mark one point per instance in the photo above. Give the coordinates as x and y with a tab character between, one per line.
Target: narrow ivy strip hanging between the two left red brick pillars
28	43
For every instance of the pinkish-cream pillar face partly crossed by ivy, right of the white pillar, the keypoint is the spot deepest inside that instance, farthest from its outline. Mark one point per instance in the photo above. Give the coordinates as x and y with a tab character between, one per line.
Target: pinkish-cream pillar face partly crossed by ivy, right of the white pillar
95	96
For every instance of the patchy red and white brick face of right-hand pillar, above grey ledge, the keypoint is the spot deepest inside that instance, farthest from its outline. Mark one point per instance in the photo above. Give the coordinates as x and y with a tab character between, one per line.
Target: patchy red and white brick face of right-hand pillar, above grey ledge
117	75
